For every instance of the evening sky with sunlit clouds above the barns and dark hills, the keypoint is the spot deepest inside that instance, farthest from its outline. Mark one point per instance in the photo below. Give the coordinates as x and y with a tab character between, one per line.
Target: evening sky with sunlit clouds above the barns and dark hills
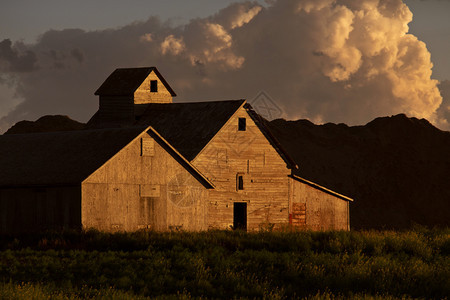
342	61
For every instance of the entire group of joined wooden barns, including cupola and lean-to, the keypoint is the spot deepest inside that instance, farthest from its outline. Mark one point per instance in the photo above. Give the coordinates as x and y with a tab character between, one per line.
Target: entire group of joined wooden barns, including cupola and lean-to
146	162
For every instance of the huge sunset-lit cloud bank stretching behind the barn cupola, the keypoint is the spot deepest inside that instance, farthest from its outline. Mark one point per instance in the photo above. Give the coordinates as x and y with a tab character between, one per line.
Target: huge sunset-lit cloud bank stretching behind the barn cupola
327	60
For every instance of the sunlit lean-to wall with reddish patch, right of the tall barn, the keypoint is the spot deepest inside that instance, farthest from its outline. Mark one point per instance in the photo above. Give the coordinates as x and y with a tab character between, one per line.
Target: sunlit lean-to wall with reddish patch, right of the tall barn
317	210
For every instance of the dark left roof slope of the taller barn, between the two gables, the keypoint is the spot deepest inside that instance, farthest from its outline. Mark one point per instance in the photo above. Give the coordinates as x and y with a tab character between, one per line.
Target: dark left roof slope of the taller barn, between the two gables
189	126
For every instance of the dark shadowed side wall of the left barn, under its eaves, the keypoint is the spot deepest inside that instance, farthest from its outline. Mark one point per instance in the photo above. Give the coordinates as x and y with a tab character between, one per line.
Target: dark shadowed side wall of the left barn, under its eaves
39	208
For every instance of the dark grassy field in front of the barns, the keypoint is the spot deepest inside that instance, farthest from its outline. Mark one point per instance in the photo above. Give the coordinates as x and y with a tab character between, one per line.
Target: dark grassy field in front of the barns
224	264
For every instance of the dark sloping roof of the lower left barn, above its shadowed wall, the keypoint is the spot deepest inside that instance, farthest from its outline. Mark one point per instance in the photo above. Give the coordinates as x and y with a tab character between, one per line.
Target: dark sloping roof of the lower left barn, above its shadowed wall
58	158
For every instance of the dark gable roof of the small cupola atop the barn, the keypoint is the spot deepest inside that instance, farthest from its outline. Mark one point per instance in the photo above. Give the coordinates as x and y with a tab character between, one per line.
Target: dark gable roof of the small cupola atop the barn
124	82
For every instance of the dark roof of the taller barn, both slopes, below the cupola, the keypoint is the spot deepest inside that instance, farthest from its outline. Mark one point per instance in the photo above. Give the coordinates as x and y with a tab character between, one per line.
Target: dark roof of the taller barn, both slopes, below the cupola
190	126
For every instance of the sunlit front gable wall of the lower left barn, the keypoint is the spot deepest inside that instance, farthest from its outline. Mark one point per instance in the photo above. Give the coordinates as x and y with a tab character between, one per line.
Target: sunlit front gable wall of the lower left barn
134	191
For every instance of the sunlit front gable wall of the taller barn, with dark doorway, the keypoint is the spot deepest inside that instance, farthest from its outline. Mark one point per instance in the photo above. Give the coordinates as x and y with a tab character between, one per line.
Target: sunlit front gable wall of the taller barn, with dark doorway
232	153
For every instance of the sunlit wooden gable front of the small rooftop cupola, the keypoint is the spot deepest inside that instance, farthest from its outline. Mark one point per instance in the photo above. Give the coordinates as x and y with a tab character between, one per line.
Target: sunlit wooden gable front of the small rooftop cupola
143	94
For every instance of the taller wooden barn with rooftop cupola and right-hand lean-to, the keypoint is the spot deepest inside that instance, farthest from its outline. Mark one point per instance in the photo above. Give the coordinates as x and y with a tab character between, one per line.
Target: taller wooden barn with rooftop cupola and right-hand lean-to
254	186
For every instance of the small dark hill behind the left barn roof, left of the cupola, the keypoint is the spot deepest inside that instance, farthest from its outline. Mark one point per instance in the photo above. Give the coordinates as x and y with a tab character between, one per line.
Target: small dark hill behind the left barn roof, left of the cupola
46	124
